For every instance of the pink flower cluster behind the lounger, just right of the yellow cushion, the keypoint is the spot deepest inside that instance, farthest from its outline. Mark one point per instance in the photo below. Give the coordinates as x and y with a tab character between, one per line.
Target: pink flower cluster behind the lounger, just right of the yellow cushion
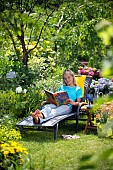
95	73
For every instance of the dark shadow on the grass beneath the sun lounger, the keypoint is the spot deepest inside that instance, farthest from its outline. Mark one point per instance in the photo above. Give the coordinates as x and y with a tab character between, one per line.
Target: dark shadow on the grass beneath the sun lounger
65	127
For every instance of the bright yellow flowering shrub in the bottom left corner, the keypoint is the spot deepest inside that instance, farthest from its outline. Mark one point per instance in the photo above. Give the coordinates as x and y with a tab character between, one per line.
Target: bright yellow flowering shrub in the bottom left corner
11	154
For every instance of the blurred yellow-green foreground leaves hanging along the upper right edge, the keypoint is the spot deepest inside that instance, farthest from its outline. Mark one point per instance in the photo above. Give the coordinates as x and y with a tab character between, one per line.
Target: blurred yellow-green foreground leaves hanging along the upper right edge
105	32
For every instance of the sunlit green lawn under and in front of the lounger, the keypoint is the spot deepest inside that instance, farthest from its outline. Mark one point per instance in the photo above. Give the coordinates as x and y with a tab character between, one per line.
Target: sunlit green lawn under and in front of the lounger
47	154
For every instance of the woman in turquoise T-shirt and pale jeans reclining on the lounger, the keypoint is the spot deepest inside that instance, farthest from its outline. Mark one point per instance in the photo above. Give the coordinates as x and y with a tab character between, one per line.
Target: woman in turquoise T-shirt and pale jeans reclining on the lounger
51	110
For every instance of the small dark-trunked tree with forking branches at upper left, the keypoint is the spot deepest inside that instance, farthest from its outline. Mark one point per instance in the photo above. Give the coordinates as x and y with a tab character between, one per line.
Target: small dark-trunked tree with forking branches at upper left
20	20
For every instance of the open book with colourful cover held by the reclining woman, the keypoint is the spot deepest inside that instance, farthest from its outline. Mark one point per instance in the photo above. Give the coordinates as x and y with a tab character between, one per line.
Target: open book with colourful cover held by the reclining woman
57	98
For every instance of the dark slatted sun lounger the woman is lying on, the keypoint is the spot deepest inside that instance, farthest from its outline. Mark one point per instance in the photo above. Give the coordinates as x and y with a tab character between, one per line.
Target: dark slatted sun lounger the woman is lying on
53	124
